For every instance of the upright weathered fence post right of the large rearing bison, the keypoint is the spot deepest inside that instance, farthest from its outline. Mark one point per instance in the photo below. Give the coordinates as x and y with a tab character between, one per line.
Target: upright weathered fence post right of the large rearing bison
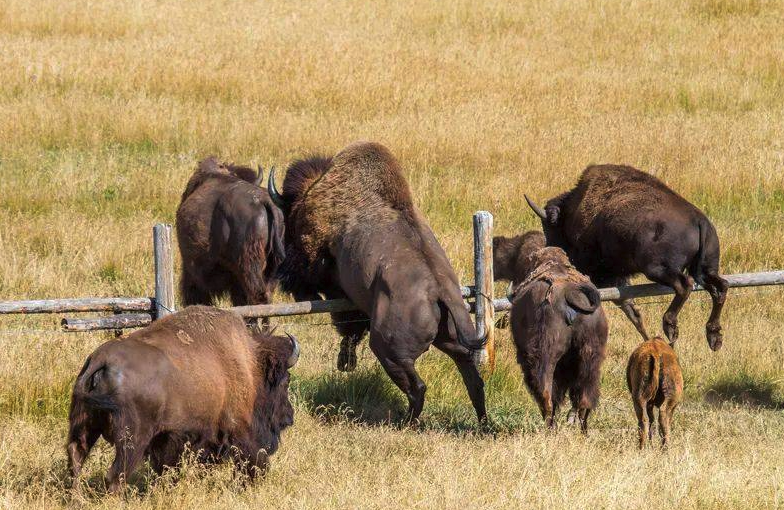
483	286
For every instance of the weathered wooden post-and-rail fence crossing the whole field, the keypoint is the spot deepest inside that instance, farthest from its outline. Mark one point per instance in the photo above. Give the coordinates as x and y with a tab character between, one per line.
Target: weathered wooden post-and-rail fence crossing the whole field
135	312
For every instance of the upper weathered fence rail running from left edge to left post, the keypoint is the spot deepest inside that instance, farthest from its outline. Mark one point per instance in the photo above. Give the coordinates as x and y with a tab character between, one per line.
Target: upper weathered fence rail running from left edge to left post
118	304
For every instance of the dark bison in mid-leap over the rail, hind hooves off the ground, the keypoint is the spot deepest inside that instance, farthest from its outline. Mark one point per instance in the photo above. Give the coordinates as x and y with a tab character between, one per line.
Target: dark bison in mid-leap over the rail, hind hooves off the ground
619	221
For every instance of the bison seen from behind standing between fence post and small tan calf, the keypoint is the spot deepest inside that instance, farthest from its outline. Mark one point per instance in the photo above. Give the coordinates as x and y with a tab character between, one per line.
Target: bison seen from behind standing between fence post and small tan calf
560	331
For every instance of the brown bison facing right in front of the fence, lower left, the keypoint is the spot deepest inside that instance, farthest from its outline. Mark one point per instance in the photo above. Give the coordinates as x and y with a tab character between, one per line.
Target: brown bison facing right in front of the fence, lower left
197	377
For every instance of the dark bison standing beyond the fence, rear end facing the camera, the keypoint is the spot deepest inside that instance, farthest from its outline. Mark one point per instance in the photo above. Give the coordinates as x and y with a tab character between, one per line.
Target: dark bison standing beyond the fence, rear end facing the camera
230	235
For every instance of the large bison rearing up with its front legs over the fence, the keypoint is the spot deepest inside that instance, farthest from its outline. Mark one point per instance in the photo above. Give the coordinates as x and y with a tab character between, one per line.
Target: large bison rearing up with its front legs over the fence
352	231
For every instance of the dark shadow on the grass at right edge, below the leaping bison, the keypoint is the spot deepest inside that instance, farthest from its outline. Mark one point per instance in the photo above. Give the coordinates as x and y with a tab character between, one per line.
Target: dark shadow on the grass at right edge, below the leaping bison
747	390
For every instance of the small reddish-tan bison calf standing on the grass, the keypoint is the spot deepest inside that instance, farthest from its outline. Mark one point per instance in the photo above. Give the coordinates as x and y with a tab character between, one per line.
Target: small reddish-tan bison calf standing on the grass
654	378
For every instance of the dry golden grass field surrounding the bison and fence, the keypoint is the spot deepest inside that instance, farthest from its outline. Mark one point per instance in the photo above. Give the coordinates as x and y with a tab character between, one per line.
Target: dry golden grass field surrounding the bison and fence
107	105
